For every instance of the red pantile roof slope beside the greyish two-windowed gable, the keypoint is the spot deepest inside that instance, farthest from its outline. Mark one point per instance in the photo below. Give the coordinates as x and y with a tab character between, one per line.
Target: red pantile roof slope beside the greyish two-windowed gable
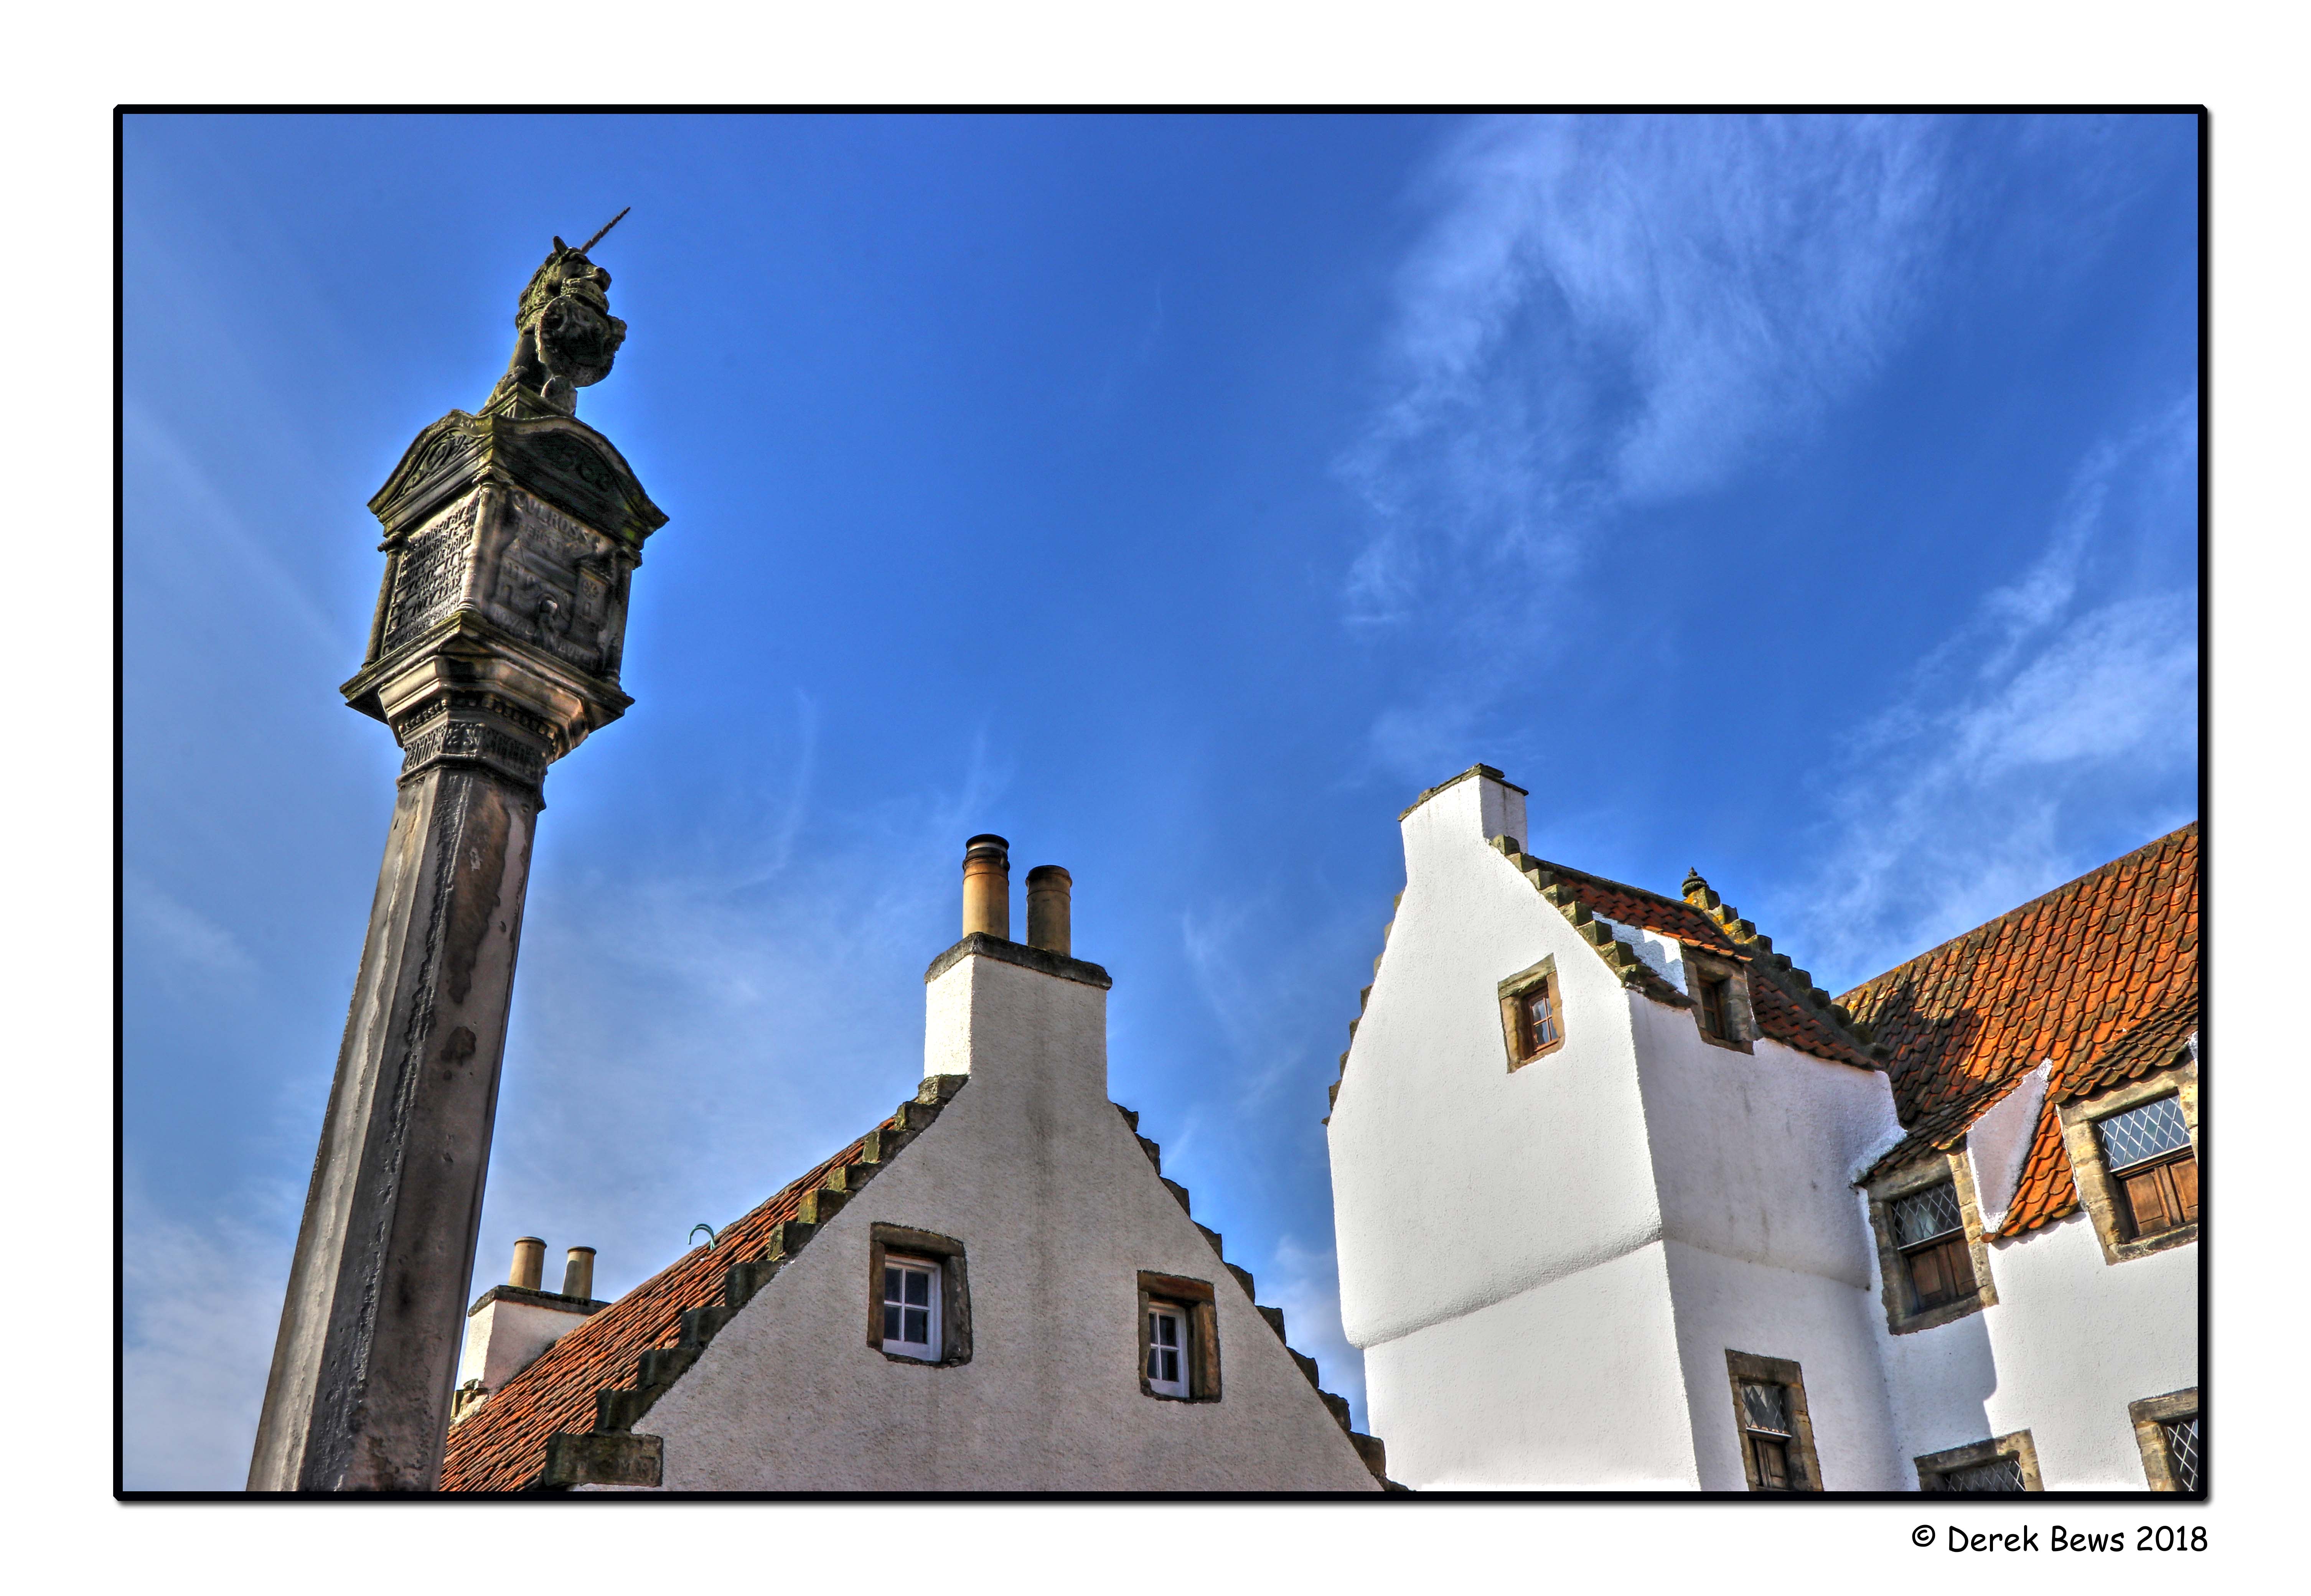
503	1445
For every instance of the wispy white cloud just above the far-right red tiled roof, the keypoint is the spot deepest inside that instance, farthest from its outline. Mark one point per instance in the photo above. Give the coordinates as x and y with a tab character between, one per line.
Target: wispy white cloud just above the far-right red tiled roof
2070	696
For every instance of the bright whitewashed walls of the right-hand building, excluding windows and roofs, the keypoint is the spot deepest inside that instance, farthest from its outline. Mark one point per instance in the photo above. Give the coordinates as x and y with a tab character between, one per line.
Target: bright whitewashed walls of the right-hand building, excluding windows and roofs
1547	1269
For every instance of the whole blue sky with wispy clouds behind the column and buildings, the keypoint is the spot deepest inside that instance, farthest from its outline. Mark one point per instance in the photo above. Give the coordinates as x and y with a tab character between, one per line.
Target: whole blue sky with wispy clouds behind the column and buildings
1806	502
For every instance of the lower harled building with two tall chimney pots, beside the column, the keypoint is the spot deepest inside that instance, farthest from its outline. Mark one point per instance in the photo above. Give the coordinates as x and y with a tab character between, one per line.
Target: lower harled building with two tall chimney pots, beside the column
995	1290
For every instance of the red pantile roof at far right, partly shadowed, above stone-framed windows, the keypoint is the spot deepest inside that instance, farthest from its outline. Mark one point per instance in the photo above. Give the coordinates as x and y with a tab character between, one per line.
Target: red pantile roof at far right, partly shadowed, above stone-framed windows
2100	978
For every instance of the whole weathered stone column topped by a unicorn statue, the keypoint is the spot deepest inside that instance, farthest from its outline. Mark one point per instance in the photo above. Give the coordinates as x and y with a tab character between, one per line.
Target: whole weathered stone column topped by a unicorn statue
496	646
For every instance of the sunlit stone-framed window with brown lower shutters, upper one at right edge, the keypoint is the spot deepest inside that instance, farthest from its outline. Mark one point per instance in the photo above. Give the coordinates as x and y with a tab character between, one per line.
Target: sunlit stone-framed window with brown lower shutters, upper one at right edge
2134	1156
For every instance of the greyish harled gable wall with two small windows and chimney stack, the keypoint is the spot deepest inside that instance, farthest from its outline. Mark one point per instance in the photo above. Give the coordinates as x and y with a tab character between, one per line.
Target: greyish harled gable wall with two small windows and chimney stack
1060	1209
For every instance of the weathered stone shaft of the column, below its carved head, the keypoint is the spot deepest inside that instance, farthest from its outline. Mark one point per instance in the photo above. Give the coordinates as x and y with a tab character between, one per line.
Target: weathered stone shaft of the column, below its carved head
369	1343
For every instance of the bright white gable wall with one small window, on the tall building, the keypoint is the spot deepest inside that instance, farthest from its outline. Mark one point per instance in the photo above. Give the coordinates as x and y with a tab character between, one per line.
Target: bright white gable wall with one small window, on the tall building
1492	1223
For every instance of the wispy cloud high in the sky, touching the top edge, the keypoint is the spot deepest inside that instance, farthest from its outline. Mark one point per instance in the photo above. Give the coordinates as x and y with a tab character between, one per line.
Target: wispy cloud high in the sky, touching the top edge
1610	313
